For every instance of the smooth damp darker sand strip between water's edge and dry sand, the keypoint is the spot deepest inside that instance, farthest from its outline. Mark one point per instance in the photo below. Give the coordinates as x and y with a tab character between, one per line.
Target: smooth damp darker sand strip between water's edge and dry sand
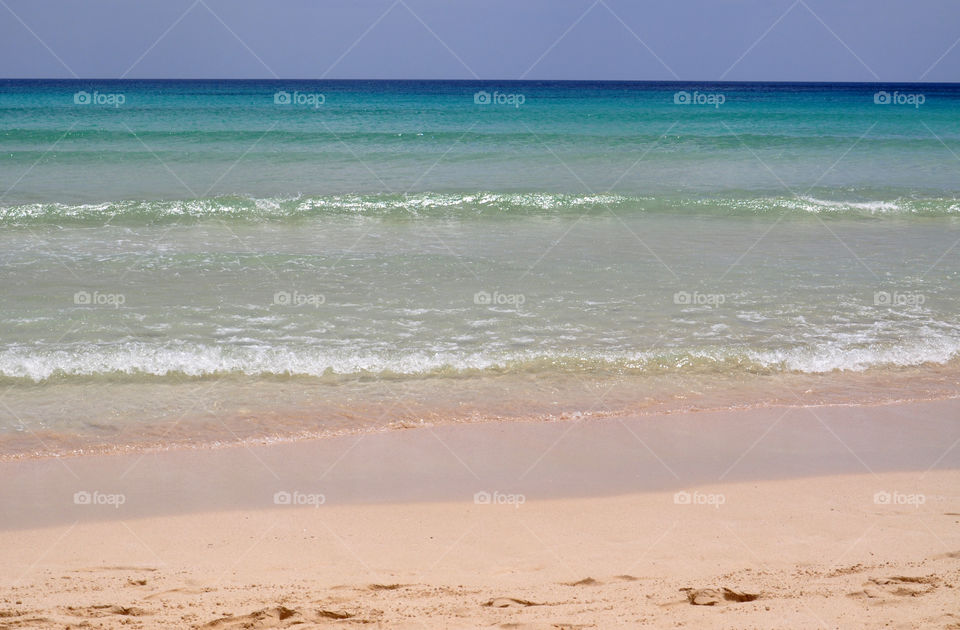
543	460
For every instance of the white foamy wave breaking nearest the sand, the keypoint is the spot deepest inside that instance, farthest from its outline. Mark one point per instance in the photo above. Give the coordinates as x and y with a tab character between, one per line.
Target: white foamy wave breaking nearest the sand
195	360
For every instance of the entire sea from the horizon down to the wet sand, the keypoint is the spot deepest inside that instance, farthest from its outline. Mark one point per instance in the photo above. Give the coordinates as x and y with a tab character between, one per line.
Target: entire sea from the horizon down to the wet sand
194	263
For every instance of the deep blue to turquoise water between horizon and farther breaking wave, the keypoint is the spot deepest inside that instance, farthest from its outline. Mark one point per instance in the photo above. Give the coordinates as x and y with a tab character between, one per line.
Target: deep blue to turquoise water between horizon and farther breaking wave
204	139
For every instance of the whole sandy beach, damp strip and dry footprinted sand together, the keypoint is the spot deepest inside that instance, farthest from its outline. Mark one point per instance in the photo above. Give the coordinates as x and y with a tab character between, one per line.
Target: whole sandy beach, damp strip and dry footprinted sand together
829	517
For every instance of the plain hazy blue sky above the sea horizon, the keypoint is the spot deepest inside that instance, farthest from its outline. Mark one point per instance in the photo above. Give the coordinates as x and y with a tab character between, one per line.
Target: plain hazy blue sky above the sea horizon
696	40
